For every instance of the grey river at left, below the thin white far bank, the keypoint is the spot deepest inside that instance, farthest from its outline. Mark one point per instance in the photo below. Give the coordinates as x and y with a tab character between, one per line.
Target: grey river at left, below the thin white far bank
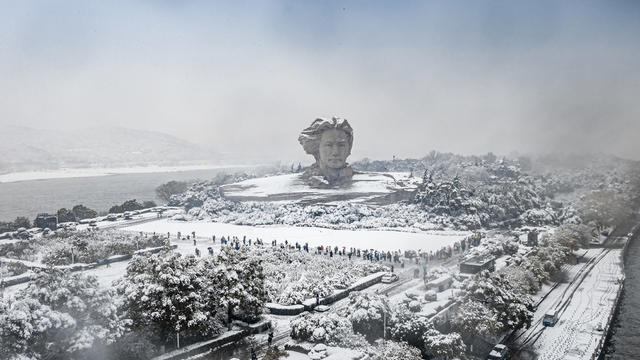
28	198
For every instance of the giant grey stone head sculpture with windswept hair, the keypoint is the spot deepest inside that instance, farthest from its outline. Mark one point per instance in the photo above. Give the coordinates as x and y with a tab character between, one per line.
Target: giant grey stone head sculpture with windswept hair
330	142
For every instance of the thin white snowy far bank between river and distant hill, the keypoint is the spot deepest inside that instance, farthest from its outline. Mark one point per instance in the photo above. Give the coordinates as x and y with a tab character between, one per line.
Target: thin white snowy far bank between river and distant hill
90	172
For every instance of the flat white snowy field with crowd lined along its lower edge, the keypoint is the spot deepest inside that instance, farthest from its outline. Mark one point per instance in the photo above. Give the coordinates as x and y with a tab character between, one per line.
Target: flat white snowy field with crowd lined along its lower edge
363	239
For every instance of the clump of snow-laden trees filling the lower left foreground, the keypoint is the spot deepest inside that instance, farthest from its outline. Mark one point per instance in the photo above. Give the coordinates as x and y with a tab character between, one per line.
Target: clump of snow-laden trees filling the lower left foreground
62	315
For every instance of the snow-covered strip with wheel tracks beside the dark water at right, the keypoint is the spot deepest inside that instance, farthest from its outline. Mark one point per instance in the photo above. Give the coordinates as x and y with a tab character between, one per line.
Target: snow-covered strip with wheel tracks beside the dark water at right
585	305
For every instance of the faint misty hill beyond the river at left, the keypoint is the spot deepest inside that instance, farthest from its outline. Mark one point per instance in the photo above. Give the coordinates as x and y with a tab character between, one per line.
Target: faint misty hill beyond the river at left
27	149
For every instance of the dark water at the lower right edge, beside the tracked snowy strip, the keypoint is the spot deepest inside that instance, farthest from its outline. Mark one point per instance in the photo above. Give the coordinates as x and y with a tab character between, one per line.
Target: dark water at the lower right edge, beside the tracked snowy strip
625	339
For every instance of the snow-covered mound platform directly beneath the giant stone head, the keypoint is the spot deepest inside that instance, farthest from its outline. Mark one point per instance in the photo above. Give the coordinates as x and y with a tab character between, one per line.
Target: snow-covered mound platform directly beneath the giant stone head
371	188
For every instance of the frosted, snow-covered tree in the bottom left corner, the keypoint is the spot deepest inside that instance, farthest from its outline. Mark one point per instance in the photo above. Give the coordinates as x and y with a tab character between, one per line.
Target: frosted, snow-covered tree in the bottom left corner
59	316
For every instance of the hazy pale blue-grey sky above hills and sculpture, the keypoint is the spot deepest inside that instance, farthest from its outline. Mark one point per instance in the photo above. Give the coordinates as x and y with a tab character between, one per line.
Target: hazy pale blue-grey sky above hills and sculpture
467	77
